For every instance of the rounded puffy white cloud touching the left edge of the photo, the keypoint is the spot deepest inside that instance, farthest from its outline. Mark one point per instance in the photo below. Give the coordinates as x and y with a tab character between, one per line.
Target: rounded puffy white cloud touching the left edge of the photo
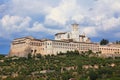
12	24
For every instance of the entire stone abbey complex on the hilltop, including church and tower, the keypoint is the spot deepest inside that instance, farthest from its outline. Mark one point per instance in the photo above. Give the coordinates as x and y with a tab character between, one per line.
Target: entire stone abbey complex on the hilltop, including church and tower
63	42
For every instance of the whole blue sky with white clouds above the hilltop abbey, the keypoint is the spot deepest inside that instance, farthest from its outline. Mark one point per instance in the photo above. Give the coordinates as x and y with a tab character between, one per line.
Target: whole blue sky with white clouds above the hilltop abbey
43	18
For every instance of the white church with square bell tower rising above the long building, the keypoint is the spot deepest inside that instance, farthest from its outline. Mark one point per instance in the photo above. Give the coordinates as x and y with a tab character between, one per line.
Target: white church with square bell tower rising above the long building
74	35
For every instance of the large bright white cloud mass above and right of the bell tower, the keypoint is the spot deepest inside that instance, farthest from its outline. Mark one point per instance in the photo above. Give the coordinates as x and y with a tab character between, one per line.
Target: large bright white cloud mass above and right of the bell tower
101	18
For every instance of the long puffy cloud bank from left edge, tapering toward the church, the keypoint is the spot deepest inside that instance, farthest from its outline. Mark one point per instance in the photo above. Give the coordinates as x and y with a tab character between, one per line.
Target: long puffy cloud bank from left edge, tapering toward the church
10	25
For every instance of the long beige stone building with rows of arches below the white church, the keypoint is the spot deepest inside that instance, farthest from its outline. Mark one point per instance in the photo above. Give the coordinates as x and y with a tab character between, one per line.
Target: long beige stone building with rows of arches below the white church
45	47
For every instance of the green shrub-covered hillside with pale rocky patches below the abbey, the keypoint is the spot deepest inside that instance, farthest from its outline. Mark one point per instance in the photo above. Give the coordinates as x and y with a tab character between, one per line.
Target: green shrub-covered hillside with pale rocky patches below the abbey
64	66
